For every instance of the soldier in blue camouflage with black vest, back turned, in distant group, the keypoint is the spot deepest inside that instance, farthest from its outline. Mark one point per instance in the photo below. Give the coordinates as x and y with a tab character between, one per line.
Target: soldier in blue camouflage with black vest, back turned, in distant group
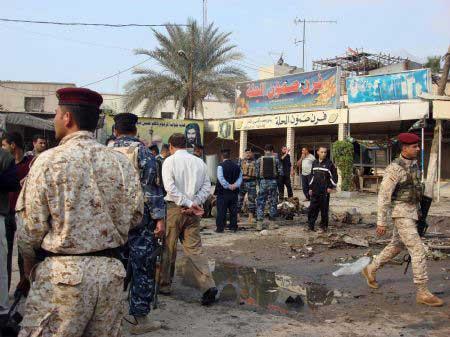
268	169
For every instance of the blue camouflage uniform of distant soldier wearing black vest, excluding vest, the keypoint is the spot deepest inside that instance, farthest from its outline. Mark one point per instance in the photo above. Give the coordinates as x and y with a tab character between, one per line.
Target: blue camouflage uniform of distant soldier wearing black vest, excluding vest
268	191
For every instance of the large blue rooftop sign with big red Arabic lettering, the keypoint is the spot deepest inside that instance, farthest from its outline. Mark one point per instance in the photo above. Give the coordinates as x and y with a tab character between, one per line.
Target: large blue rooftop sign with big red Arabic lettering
316	90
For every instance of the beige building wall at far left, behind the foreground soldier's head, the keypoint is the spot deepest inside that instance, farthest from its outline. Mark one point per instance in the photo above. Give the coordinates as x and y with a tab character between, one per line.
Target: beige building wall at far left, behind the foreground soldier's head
12	94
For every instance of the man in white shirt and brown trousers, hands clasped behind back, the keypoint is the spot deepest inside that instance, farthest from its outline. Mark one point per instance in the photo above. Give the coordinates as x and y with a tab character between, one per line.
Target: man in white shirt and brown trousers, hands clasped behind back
188	186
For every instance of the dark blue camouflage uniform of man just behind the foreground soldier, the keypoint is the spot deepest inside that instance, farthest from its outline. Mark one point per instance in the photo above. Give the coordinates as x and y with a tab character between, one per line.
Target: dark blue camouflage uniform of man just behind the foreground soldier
142	242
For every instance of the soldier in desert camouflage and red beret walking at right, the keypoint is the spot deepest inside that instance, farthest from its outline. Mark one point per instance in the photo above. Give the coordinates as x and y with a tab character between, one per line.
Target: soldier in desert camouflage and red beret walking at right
402	188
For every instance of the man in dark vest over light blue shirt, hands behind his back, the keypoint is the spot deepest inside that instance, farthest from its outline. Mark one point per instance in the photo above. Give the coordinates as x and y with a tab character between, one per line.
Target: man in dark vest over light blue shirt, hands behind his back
229	179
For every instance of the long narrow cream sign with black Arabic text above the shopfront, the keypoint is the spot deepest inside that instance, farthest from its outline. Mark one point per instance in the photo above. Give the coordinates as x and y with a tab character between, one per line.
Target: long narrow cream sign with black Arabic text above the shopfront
301	119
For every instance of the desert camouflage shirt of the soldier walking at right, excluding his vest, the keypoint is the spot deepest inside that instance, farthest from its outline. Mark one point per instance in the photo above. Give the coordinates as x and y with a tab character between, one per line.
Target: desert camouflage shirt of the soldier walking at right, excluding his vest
394	175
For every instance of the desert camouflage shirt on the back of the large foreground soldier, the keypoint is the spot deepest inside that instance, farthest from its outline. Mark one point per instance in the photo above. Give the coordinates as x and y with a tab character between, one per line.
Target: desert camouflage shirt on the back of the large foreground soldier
79	197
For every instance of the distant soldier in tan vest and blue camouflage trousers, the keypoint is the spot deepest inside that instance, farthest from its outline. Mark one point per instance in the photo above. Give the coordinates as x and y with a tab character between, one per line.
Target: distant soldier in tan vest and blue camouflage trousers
249	184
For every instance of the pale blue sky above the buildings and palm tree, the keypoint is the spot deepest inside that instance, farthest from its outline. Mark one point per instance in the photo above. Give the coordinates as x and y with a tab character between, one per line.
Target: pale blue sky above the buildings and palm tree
262	30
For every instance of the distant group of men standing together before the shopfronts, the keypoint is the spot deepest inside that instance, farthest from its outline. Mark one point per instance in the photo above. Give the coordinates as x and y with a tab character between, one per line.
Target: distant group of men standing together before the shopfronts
263	180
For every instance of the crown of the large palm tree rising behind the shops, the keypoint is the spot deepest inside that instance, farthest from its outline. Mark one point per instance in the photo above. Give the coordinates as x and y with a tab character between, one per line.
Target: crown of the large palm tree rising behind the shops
195	64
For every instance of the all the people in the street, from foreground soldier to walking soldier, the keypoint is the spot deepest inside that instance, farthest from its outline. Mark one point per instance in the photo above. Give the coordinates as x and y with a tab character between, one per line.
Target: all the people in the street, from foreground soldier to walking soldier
91	221
